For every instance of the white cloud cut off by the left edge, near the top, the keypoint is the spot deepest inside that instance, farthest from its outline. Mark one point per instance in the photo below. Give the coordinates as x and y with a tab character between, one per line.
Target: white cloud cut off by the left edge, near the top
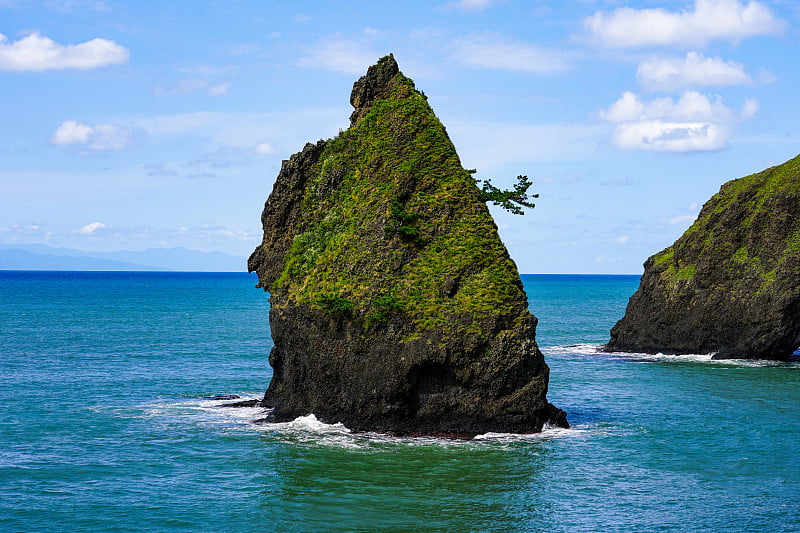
36	53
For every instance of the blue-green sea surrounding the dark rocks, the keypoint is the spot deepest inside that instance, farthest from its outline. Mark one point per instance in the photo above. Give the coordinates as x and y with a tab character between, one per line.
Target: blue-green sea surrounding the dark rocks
105	425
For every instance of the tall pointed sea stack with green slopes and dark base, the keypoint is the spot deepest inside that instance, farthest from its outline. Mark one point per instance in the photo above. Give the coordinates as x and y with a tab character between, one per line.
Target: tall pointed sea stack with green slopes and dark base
394	305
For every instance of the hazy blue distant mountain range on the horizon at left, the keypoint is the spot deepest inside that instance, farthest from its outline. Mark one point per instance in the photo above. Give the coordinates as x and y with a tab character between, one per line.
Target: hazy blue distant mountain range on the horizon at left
43	257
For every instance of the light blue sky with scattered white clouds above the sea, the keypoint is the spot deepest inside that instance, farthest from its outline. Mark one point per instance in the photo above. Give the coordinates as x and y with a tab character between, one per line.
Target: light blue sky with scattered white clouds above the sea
130	125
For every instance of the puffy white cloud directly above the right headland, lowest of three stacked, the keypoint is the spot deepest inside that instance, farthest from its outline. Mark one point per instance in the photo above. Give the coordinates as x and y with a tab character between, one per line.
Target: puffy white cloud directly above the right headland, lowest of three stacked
692	123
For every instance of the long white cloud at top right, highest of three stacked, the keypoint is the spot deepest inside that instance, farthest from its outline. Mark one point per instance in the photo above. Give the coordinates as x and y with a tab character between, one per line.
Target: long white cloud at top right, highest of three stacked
708	20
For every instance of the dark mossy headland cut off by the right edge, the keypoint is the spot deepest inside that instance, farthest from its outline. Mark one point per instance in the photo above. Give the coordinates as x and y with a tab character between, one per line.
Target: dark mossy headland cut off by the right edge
731	284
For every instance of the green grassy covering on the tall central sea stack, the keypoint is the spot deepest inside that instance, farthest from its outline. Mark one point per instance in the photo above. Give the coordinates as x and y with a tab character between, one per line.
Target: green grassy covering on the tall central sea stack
396	218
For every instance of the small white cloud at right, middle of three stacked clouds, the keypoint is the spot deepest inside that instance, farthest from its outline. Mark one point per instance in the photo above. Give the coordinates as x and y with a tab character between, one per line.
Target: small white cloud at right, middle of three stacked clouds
692	71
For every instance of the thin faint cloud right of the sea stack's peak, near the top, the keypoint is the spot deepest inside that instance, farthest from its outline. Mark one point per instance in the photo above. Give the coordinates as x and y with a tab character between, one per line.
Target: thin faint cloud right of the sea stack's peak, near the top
491	51
